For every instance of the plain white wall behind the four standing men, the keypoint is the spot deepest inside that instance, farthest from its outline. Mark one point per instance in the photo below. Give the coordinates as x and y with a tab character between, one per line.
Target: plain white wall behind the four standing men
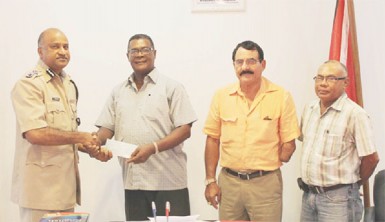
194	48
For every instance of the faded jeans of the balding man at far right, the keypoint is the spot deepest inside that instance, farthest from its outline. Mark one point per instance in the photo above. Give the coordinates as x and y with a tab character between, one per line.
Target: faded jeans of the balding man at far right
342	204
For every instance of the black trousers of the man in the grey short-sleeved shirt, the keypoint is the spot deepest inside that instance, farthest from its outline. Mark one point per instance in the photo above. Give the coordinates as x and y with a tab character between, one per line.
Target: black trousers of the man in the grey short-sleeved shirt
138	203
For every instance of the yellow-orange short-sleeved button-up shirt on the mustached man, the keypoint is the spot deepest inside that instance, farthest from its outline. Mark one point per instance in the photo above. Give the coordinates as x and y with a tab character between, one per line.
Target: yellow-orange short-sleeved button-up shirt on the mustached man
250	136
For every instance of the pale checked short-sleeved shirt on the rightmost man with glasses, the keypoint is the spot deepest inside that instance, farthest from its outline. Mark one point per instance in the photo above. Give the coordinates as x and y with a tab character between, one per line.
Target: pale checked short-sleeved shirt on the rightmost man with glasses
334	142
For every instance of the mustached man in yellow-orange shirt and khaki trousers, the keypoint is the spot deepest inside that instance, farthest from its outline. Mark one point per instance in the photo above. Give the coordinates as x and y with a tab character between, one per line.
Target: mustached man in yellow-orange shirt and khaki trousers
251	126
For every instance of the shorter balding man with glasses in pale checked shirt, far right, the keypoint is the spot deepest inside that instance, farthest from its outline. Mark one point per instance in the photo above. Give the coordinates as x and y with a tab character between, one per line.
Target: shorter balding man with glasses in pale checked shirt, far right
338	150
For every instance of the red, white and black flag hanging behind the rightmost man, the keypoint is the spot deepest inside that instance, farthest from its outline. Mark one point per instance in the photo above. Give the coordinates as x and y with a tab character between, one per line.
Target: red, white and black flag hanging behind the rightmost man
344	48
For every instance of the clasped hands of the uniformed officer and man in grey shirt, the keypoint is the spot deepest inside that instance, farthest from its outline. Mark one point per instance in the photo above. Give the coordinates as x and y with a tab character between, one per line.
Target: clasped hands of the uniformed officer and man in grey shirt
91	144
